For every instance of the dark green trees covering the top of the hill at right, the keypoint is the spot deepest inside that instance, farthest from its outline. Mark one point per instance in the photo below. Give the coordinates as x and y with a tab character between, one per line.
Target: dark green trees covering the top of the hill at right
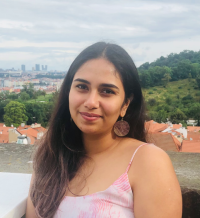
172	68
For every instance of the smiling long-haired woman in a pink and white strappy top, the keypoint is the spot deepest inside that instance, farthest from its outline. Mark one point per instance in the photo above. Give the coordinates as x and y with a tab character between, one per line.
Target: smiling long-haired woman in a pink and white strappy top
85	167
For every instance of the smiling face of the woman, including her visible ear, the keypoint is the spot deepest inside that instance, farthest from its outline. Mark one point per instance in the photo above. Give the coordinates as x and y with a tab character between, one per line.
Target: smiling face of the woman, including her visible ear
96	97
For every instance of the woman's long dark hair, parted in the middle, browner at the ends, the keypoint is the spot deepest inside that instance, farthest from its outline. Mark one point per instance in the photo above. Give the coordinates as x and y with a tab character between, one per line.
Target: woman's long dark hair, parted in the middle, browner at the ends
61	152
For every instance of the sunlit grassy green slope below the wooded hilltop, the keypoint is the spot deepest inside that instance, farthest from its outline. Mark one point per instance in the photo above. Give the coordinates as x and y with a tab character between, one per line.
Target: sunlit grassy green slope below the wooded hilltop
178	101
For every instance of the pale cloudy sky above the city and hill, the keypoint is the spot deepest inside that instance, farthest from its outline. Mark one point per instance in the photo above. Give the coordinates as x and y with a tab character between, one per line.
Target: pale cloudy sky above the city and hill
54	32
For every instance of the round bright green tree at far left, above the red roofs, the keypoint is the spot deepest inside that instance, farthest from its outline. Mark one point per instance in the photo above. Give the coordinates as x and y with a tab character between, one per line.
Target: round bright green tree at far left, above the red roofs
14	113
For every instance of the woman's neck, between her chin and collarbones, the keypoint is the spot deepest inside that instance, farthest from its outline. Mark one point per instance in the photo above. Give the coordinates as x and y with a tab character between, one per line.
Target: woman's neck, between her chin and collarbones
96	144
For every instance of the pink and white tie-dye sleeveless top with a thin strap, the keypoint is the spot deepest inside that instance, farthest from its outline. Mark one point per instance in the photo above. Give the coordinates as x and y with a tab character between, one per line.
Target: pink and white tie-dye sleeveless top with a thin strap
116	201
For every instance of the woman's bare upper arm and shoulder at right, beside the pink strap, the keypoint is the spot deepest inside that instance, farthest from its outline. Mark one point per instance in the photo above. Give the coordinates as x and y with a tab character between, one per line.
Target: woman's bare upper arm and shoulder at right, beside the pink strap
156	189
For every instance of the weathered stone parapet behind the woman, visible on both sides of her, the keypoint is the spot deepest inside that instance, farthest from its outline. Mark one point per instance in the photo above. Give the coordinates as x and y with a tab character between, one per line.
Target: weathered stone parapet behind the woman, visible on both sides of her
16	158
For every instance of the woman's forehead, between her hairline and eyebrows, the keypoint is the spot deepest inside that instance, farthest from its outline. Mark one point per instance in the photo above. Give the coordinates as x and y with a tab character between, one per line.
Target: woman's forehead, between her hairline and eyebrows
99	70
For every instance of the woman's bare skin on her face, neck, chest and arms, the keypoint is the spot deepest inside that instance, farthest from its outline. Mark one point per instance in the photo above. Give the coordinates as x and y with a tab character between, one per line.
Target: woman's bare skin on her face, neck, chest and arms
152	178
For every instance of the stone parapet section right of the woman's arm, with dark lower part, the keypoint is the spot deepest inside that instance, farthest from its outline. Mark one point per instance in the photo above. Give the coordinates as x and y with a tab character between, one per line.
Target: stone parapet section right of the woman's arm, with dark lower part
187	168
